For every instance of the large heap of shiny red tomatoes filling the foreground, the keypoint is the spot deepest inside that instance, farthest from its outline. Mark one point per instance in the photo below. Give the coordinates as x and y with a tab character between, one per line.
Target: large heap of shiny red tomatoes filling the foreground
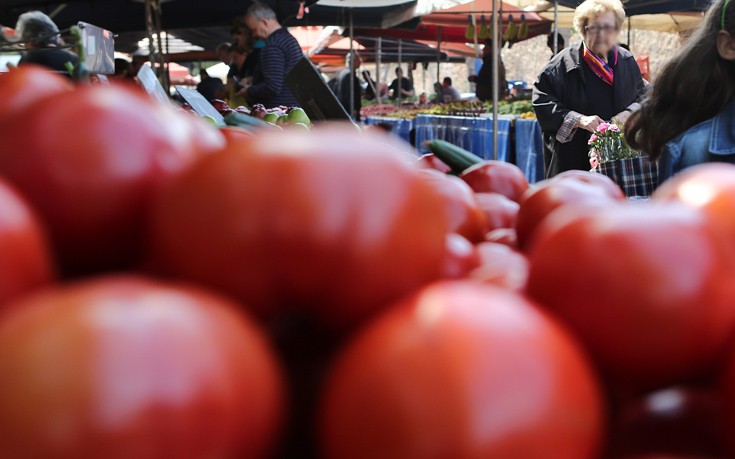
168	290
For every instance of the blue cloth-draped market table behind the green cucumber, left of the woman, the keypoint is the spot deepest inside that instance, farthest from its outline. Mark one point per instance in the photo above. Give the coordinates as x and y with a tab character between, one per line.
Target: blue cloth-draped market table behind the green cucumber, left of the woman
472	134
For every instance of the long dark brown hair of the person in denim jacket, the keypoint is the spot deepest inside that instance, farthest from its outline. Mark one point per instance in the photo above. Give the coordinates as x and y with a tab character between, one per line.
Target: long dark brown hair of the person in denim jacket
692	87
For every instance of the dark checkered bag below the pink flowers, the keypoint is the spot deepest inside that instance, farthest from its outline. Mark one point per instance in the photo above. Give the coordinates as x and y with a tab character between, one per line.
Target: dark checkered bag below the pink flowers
636	176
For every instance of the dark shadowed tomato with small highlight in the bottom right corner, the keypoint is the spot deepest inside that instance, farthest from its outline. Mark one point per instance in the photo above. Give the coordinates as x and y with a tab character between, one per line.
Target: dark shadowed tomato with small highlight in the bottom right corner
680	421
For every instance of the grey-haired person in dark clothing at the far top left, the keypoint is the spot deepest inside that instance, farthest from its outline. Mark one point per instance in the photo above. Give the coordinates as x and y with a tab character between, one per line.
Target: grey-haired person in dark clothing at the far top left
43	43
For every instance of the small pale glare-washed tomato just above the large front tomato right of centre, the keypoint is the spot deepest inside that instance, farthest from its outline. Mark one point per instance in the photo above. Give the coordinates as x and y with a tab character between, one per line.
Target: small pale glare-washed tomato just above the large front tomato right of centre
502	266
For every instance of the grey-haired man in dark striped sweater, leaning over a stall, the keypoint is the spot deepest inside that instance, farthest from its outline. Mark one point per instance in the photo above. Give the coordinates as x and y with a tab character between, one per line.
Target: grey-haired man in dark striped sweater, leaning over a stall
280	55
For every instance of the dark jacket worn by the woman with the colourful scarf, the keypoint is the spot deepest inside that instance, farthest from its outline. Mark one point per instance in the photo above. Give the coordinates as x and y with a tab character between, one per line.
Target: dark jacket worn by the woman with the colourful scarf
562	87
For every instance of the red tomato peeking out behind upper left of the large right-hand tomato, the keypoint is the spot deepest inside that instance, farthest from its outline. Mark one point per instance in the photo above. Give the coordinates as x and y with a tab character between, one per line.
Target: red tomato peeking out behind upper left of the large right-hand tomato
550	195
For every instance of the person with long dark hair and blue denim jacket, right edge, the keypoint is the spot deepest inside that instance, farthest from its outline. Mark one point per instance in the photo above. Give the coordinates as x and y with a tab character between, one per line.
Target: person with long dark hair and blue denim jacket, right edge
689	117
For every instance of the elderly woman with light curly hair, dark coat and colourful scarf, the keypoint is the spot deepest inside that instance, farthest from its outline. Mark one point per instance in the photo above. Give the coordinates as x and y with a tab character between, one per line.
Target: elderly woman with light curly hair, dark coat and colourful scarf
585	85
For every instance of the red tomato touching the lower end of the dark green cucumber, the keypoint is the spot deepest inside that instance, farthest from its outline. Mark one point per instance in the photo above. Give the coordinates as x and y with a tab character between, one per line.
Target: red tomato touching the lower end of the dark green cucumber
496	177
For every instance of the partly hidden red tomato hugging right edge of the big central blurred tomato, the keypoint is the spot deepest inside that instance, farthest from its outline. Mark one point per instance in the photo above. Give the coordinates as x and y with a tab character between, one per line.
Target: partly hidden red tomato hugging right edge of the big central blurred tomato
464	215
